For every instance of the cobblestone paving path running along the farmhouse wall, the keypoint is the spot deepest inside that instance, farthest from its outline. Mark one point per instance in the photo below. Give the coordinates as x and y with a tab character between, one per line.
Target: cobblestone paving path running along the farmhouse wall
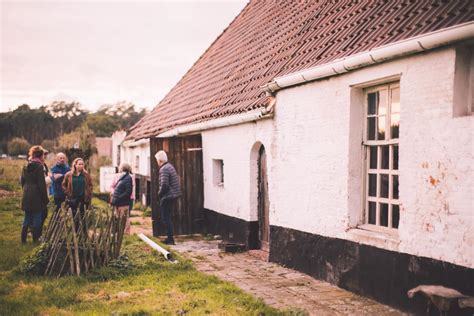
277	286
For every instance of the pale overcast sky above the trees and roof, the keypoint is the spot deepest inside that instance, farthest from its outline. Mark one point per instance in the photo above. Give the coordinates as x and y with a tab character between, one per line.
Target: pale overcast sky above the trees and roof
103	52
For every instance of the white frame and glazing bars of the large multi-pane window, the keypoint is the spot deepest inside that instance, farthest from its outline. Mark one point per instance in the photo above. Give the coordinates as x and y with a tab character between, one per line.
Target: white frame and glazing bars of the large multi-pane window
377	227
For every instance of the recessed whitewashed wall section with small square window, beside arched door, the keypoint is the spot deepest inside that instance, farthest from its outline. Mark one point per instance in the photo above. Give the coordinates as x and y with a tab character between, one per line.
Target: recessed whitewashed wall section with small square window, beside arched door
235	145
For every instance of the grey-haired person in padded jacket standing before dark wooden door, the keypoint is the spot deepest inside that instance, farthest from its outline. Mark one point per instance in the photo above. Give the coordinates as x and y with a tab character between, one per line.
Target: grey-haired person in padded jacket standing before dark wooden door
169	191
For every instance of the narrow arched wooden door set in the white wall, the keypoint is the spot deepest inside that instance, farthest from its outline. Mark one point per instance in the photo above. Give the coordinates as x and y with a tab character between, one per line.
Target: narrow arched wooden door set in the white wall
263	202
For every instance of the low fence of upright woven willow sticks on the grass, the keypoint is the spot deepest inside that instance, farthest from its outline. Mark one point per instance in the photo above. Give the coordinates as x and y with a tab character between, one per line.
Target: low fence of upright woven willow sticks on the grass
76	243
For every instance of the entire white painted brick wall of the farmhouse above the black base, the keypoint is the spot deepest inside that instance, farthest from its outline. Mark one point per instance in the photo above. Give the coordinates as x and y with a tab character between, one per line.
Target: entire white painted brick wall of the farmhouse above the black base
315	179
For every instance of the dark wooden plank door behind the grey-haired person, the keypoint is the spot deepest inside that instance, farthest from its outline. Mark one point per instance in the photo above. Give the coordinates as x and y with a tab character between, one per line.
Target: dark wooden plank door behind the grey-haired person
185	154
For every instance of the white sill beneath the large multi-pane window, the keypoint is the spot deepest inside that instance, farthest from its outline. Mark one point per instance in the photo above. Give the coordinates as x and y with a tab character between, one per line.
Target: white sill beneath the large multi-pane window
379	237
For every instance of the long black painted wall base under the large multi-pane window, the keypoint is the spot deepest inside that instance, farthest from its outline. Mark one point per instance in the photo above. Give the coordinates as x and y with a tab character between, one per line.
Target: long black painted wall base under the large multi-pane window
383	275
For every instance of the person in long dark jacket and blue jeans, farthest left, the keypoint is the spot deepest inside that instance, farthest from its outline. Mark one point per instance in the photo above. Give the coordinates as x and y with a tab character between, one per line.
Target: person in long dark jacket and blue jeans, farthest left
35	196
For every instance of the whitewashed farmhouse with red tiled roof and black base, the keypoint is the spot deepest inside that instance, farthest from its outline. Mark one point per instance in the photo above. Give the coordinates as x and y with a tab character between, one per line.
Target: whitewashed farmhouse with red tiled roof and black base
337	135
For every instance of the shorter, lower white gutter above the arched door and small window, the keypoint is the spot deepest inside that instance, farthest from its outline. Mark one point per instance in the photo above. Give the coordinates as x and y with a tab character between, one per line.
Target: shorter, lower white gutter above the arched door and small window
250	116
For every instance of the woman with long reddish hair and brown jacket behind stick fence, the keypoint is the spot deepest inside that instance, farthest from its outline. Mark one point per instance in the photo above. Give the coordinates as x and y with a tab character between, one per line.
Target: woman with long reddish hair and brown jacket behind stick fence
77	185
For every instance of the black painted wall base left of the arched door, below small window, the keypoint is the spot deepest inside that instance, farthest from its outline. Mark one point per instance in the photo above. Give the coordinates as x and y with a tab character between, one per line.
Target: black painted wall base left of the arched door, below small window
231	229
